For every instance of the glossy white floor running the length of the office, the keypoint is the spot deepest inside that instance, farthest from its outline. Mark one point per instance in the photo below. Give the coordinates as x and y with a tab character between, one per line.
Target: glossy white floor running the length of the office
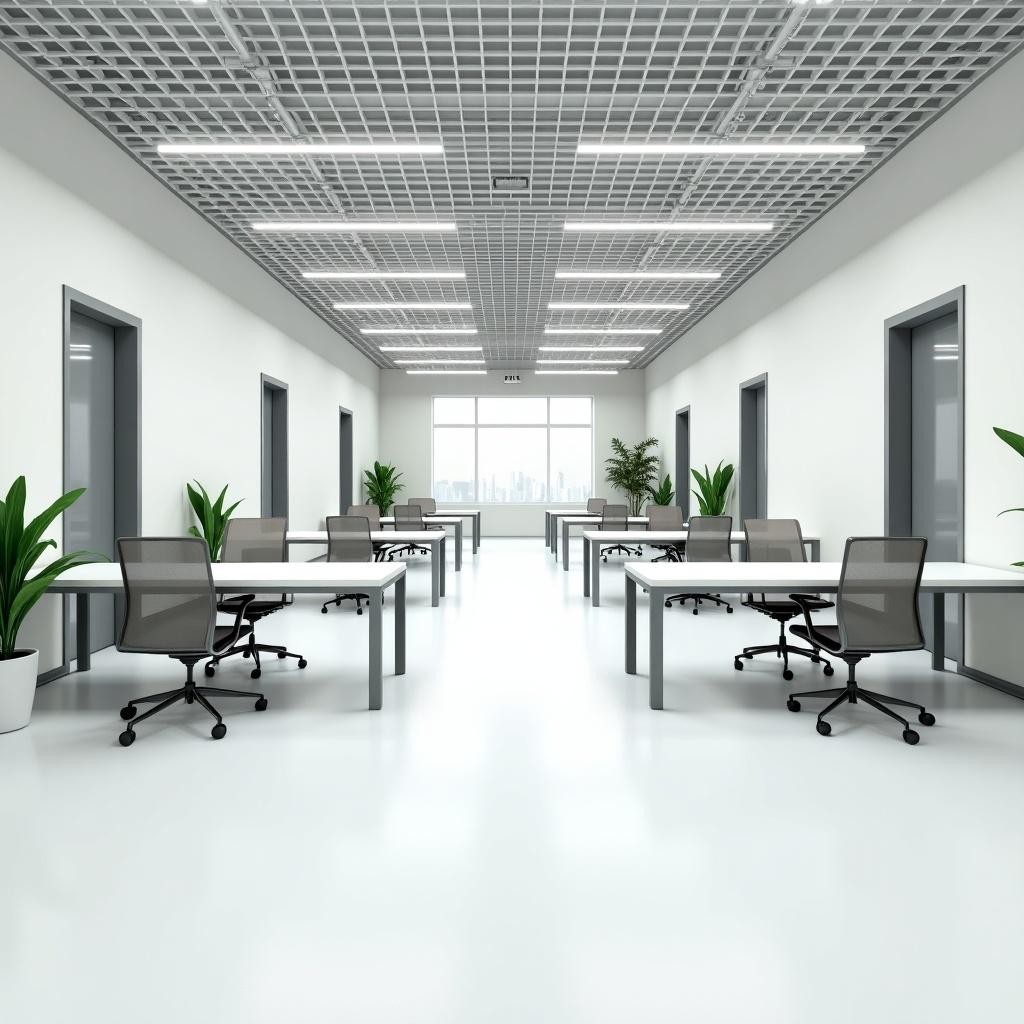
516	837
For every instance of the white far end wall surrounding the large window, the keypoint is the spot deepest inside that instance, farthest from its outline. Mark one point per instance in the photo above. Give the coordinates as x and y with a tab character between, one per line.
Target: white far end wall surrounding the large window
406	429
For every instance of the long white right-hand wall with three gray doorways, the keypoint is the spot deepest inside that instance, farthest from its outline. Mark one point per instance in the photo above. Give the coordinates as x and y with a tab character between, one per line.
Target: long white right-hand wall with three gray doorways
948	211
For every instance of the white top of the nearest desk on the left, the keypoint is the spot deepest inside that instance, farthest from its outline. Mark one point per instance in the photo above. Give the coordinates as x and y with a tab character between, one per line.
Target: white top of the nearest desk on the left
252	578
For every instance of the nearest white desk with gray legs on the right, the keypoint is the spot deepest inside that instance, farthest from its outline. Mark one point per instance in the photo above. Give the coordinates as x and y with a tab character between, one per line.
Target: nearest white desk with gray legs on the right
663	579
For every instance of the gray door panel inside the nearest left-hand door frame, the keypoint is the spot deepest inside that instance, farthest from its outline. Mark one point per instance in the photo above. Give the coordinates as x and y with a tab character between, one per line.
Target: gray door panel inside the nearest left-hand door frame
91	522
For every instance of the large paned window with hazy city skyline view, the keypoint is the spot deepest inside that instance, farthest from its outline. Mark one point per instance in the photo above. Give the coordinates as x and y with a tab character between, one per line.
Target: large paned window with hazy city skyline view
514	449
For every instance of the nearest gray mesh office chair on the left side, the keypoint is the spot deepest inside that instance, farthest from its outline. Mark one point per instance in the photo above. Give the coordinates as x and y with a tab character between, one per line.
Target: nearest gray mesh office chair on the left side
172	610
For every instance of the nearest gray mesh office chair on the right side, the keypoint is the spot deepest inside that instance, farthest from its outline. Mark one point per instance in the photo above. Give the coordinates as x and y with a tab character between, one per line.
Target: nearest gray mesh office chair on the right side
876	613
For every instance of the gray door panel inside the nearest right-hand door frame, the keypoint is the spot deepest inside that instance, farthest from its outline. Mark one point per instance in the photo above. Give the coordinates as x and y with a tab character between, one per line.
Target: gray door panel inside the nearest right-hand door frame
935	447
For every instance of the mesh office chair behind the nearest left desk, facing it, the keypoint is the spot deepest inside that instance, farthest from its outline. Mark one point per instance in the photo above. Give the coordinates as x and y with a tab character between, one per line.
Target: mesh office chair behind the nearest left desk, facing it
252	540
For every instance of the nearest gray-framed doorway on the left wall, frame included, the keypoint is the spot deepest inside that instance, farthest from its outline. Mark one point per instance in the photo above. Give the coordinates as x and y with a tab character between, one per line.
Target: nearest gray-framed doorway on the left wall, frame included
101	445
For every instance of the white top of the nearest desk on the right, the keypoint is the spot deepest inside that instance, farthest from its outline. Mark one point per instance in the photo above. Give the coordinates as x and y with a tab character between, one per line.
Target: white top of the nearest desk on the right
808	577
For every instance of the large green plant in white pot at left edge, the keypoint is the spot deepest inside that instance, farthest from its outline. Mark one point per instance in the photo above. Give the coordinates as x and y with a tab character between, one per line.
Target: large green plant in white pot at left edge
21	548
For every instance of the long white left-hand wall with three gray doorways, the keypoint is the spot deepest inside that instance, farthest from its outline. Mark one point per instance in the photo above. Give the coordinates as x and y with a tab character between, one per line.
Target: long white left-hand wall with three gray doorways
77	211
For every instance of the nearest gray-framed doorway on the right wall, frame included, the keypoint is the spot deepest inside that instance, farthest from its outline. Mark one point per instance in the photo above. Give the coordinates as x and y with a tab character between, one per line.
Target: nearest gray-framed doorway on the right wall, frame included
925	440
